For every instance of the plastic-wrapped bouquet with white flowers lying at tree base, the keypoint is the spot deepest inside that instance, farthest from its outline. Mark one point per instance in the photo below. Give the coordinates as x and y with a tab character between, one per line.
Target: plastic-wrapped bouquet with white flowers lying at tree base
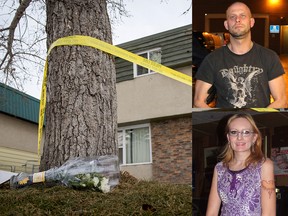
98	174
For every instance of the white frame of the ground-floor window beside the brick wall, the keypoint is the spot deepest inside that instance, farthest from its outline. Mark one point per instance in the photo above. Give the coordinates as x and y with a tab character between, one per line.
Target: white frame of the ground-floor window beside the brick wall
123	130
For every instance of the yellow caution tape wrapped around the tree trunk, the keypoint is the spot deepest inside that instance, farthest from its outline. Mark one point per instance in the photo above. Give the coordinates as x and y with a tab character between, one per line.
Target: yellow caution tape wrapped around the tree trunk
114	50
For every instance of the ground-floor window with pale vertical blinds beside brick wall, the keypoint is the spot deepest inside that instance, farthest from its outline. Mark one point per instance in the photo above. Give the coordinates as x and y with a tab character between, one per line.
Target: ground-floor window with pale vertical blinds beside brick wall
134	144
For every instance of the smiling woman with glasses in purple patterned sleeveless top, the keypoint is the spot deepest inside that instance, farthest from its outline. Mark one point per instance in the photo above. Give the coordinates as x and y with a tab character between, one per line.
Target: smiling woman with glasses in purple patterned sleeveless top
243	182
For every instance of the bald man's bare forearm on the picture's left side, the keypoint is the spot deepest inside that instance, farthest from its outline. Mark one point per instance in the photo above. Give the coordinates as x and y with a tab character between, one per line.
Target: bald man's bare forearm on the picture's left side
201	94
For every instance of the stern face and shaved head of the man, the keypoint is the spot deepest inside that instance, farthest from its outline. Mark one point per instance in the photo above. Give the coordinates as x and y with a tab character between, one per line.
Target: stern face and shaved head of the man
238	20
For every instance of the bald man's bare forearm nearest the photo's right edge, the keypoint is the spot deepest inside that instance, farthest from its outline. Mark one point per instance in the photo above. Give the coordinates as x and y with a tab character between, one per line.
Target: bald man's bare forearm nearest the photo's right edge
278	91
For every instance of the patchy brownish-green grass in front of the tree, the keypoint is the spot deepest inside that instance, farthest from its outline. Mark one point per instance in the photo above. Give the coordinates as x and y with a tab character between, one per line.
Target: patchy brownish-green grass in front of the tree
130	197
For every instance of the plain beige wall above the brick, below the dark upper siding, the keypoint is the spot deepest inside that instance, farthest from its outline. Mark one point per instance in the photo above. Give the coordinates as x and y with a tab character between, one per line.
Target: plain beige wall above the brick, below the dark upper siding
153	96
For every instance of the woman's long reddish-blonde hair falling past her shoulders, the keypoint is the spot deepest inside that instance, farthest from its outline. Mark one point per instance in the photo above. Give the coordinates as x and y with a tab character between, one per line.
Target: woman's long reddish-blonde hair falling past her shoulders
256	150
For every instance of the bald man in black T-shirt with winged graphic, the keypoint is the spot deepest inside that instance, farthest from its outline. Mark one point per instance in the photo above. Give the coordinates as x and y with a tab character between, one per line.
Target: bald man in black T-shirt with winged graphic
244	73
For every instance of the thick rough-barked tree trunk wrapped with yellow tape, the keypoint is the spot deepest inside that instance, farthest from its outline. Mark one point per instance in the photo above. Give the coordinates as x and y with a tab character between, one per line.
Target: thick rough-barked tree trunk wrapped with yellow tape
81	109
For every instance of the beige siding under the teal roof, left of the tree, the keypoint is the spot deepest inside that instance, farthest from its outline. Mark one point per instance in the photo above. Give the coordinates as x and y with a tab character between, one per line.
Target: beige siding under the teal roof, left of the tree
18	144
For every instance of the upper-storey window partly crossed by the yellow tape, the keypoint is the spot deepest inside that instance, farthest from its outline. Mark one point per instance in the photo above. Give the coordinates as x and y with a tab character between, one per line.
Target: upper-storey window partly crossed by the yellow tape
153	55
